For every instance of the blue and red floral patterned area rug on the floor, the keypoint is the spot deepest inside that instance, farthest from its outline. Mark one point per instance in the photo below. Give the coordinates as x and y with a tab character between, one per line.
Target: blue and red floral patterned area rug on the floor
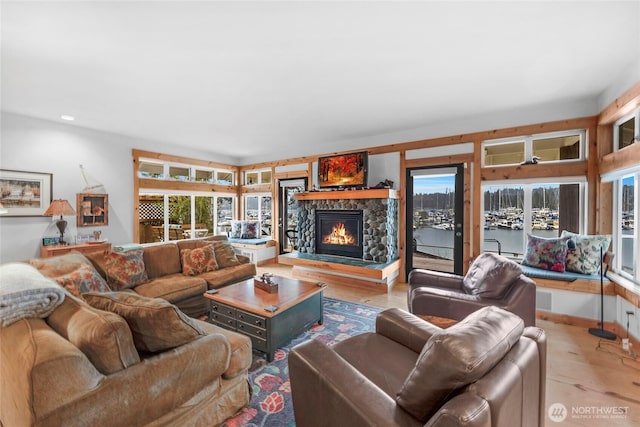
271	403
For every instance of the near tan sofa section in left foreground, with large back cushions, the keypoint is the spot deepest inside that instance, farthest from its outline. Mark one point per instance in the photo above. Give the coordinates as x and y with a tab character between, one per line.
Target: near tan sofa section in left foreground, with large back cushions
84	366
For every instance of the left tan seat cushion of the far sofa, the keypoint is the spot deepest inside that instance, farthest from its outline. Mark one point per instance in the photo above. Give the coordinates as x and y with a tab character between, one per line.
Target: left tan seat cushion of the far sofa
173	287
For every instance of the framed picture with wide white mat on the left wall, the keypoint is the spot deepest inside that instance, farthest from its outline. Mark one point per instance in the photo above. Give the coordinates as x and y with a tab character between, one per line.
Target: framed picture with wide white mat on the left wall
25	193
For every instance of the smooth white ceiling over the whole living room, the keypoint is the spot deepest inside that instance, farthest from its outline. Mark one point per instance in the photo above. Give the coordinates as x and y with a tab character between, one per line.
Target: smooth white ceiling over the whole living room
272	80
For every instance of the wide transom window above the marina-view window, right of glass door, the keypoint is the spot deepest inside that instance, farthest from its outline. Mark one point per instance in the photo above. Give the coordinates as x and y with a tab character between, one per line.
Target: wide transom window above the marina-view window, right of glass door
551	147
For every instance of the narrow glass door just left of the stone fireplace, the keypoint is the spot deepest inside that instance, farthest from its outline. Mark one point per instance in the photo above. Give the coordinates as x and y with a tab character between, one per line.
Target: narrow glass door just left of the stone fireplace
288	220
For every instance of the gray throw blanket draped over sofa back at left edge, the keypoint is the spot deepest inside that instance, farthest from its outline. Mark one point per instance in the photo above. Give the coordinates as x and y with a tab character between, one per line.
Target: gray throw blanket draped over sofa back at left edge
25	292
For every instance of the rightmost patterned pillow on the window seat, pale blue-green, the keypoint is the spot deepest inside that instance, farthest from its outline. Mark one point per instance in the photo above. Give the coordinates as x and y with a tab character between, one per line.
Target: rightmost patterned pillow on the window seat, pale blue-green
583	255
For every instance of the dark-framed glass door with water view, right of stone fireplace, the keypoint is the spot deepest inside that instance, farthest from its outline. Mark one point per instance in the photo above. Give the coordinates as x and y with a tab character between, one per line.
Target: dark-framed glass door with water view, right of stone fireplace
435	218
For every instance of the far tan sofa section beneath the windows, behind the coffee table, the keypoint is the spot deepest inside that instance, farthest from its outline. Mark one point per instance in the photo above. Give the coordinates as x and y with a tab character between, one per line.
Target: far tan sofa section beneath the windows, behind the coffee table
164	269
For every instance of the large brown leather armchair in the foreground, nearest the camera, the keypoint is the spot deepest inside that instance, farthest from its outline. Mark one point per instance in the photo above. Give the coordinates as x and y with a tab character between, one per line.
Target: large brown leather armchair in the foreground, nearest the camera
488	370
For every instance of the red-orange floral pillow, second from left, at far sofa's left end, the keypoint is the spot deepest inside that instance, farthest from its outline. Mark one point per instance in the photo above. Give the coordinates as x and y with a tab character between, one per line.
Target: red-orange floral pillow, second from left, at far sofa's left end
125	269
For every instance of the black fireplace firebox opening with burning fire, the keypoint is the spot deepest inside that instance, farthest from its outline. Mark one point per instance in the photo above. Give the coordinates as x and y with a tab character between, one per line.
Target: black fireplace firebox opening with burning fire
339	233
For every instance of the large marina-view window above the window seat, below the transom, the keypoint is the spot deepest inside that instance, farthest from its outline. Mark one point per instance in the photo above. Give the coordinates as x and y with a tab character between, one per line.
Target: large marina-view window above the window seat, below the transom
540	208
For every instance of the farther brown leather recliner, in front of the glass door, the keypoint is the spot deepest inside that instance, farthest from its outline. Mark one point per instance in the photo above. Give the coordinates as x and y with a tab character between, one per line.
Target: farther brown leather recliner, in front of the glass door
491	280
